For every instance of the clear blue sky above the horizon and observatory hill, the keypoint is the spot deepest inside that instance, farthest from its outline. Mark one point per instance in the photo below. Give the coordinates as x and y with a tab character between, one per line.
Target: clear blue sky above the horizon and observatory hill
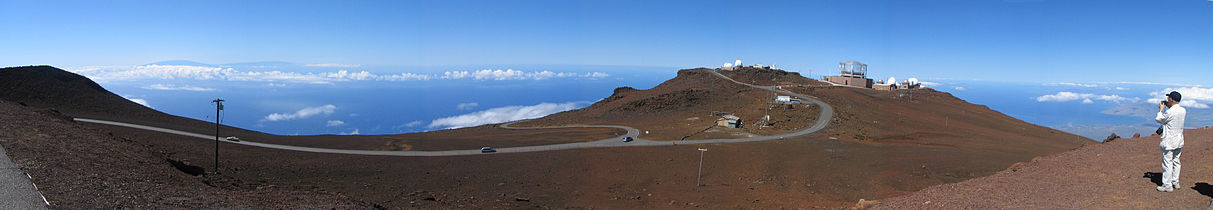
1013	41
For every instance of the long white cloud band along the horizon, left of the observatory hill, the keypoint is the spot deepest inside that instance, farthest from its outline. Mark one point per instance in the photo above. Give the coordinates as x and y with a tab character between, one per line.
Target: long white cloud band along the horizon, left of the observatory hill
127	73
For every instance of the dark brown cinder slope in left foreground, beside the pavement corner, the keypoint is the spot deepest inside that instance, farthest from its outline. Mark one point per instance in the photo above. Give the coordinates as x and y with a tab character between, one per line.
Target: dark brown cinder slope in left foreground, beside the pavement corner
82	168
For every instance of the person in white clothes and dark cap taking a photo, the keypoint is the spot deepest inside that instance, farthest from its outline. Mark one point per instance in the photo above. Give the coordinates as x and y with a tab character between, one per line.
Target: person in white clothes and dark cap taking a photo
1171	116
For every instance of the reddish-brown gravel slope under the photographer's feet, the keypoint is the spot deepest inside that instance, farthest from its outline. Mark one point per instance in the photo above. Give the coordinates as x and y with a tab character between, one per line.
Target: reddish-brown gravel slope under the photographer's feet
1117	175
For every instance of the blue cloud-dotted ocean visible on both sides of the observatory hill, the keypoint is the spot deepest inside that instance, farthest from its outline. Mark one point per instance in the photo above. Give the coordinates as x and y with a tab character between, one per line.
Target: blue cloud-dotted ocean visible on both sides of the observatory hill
287	99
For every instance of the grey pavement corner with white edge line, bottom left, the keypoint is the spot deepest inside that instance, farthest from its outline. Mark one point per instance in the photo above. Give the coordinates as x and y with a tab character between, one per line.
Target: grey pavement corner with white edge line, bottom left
18	191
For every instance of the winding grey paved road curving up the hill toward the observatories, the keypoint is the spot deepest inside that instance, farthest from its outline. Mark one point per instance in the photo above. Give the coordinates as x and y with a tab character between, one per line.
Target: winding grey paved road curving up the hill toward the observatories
823	121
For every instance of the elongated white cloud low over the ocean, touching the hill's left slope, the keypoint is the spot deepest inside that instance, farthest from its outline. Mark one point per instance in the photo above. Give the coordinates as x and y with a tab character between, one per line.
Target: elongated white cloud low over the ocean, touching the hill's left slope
504	115
